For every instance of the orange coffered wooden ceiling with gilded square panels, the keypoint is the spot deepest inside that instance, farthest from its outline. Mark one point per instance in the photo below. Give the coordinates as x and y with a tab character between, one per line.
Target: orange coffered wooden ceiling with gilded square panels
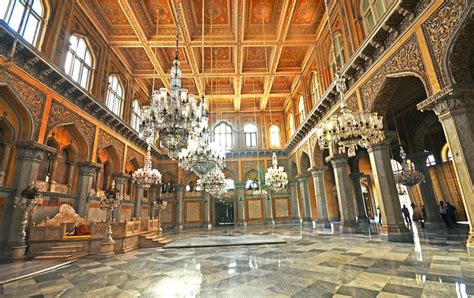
254	50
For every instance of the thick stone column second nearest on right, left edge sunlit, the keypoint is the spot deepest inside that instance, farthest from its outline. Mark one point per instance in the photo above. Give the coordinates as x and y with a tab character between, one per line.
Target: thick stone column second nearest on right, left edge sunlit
393	225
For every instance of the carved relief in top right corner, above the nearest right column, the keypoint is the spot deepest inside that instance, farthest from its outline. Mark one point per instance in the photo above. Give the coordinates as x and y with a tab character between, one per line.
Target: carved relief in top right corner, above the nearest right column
439	32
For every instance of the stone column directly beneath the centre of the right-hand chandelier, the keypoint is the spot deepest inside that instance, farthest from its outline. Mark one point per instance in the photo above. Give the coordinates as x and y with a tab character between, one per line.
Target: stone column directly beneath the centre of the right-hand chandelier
344	193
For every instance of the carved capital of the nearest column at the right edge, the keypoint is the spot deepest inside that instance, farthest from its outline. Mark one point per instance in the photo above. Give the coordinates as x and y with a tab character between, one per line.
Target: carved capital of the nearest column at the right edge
451	99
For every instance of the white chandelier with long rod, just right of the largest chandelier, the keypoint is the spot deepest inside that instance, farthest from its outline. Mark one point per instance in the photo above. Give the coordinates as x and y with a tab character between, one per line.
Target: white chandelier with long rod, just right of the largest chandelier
202	156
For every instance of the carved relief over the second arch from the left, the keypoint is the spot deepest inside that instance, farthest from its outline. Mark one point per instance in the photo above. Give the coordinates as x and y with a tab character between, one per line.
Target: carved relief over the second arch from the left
60	115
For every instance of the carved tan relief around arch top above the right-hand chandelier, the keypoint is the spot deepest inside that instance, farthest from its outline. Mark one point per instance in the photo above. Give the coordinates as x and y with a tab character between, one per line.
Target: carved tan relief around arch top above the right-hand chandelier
407	59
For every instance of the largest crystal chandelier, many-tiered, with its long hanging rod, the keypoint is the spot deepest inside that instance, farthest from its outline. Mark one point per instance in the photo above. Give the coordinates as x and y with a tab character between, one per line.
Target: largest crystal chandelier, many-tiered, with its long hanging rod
175	116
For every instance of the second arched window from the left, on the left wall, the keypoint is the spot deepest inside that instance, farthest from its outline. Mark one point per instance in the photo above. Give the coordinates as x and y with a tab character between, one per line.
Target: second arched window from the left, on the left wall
79	62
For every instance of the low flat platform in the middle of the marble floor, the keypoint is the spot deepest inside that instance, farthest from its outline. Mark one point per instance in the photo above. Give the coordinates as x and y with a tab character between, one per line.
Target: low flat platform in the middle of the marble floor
227	239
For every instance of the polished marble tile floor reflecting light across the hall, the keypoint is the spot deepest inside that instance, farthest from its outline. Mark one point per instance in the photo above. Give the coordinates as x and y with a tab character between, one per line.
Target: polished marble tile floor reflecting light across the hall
313	263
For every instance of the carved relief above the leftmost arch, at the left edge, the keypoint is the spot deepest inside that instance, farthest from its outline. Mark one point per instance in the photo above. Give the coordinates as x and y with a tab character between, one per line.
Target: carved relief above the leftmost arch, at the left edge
33	98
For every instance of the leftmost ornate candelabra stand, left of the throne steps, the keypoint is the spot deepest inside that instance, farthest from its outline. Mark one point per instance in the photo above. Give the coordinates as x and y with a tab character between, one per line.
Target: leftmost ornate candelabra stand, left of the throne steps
28	201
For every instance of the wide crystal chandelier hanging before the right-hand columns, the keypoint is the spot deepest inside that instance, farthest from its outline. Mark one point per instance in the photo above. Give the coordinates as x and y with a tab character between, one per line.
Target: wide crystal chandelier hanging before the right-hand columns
348	129
